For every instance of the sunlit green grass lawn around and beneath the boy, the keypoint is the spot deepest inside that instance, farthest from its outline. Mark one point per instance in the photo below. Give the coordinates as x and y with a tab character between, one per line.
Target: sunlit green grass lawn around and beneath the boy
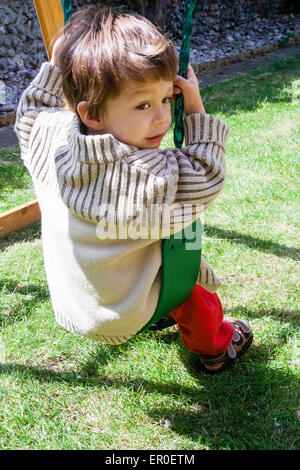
62	391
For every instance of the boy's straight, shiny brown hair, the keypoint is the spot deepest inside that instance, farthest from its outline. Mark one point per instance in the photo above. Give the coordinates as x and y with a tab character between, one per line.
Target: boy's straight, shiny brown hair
104	48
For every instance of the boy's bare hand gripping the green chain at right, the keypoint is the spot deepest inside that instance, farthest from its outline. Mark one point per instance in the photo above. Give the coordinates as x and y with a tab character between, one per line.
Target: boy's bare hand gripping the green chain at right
189	87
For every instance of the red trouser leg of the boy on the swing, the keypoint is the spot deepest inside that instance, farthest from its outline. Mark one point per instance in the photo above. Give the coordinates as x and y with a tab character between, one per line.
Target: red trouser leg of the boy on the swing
200	320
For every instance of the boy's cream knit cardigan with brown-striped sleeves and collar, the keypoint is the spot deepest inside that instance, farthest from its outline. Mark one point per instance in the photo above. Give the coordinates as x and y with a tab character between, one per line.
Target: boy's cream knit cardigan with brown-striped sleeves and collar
108	289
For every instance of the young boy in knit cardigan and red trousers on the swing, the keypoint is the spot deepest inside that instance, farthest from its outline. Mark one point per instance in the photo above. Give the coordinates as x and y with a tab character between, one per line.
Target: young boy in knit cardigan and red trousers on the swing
97	158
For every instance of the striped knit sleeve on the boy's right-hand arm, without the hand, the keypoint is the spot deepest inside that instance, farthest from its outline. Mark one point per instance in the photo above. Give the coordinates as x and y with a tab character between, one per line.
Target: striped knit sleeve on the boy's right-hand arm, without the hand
182	183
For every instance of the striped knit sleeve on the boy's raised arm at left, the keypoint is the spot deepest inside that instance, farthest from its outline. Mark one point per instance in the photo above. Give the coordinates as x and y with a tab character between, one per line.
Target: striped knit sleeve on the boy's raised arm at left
44	93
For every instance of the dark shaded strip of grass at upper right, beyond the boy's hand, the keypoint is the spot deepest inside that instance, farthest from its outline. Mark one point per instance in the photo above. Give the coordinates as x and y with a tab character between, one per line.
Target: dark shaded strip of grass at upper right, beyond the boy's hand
249	92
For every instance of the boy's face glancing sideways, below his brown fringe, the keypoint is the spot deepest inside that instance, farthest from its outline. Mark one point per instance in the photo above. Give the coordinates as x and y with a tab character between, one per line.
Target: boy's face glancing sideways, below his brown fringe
141	115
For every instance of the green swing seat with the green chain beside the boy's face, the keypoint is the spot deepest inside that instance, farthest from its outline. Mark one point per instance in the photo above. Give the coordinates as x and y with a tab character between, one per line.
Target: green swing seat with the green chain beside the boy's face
180	265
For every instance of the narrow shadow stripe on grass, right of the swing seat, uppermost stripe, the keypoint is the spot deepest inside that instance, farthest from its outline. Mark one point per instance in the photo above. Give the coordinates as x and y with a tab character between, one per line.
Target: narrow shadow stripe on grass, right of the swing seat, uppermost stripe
267	246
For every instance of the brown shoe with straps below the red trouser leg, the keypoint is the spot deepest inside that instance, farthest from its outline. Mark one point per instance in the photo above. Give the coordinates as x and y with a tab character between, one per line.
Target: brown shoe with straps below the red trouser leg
241	340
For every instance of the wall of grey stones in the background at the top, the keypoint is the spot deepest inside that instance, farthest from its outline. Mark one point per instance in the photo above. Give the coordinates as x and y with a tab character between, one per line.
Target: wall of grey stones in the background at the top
221	28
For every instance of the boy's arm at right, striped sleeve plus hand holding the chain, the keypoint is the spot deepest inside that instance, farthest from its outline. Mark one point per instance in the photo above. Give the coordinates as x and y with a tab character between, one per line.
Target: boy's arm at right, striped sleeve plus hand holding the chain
193	175
